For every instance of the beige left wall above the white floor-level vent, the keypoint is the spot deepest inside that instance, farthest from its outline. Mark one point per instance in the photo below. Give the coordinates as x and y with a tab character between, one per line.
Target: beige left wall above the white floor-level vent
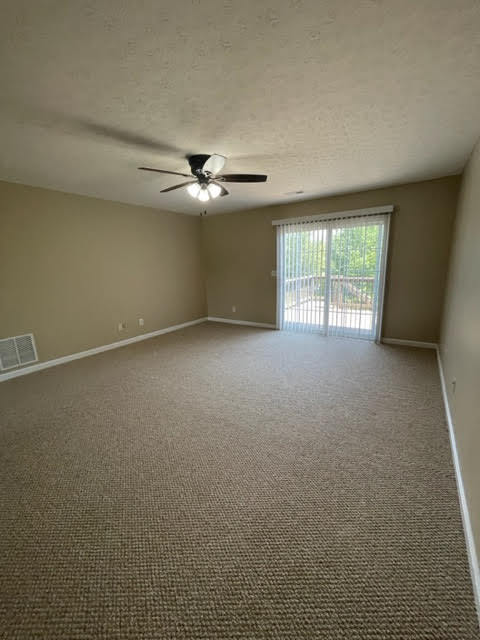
72	267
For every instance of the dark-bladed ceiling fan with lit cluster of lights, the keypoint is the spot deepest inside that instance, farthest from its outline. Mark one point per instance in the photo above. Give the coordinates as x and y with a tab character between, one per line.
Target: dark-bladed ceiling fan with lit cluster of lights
207	184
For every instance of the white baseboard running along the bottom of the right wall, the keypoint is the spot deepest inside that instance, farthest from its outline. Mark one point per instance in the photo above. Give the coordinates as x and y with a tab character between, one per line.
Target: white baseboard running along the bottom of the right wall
467	525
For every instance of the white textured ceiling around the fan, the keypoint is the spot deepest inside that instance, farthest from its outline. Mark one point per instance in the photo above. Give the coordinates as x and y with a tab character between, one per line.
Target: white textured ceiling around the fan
325	96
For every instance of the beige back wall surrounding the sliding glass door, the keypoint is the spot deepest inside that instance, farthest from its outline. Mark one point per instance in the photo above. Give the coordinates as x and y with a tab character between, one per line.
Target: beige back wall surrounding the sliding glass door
240	248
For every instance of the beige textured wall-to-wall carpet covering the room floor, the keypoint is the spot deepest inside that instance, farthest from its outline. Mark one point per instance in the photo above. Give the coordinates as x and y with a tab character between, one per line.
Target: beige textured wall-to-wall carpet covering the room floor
221	483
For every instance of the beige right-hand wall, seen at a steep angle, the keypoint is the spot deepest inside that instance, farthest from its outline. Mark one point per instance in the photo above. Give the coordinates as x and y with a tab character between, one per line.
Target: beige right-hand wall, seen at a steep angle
460	341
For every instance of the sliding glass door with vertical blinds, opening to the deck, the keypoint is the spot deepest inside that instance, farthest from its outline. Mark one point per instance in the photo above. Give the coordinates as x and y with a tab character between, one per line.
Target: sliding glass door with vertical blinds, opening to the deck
331	275
